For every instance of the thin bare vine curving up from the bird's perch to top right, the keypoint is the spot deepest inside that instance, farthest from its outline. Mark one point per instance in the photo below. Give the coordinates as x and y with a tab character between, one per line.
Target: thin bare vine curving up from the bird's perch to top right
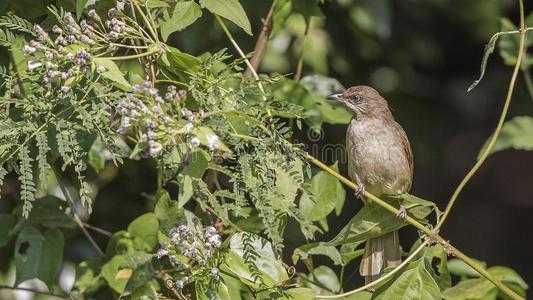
503	115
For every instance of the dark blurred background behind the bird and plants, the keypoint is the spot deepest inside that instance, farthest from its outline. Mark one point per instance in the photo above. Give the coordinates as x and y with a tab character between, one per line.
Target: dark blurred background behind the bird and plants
421	56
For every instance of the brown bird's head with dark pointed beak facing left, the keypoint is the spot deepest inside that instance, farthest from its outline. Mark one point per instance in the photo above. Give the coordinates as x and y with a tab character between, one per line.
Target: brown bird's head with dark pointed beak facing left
362	101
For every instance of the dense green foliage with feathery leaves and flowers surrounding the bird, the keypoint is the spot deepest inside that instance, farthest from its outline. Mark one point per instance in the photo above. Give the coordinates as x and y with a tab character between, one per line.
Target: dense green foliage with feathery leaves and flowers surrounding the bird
99	82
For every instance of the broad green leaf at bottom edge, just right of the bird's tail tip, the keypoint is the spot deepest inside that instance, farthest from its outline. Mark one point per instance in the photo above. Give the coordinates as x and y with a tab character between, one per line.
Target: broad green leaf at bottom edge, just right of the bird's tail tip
413	283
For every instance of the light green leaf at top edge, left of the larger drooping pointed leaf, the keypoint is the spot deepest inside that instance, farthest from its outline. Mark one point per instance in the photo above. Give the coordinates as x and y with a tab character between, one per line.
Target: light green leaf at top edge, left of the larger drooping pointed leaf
183	14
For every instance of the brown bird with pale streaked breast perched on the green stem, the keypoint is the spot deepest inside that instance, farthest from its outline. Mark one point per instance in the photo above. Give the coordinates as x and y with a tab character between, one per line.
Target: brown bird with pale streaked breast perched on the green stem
380	161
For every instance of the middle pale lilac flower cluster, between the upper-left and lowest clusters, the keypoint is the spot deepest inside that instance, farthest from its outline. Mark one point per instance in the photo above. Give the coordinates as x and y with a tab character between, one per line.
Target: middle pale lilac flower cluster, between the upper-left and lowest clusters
151	113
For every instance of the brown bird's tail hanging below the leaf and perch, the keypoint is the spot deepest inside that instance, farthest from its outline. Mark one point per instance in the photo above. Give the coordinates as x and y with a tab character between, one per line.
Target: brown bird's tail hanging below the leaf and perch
380	252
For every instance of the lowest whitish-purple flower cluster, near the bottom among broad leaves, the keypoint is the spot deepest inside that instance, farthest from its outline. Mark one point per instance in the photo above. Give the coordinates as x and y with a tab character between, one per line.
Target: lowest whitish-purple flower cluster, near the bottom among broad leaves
192	250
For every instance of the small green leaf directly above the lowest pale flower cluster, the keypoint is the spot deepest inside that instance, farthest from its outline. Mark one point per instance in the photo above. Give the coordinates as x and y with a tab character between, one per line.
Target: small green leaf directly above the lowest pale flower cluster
168	212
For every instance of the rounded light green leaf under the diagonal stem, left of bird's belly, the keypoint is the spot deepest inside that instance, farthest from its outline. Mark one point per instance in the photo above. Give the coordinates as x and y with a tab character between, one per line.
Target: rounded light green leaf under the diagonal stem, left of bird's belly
326	193
